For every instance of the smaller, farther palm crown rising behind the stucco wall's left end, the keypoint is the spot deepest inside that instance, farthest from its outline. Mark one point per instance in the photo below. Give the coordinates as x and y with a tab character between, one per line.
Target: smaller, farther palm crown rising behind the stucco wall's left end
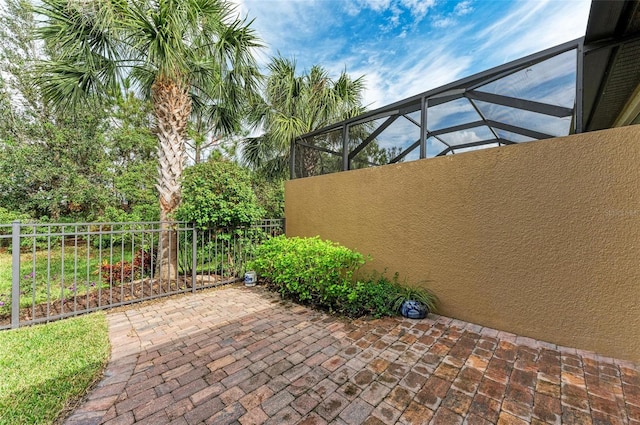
294	105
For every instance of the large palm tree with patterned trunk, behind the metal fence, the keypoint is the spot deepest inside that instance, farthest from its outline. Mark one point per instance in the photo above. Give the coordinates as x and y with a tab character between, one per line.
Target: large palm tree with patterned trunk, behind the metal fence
177	52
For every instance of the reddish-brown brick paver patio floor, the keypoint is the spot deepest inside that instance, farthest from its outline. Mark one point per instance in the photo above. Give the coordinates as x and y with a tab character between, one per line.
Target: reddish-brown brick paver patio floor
240	355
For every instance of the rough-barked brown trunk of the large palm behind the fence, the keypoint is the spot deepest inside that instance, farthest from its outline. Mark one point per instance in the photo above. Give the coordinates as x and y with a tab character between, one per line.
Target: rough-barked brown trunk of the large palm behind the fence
171	106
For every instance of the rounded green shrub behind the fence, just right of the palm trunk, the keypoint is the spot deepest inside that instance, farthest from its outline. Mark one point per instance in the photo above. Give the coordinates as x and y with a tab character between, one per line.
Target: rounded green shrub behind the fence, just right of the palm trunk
218	194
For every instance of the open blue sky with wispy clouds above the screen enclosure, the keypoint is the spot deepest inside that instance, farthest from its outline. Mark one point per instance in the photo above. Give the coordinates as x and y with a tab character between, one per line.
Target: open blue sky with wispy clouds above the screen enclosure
405	47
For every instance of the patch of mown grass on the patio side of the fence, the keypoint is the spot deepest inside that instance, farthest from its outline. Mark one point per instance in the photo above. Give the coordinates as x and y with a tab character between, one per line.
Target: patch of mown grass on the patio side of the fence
45	368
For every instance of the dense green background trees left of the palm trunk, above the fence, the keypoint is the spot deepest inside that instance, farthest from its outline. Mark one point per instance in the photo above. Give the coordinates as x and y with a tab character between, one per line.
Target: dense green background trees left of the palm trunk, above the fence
62	166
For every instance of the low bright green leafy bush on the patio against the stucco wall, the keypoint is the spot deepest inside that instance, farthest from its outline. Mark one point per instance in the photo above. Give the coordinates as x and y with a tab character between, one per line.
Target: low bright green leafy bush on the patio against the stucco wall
321	274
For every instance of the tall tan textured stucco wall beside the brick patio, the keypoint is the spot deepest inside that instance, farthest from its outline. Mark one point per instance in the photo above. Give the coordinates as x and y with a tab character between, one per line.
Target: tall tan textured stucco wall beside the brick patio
540	239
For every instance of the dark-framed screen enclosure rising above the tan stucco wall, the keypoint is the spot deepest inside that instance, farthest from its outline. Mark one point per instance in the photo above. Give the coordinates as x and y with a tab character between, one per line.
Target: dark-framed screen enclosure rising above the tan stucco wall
529	99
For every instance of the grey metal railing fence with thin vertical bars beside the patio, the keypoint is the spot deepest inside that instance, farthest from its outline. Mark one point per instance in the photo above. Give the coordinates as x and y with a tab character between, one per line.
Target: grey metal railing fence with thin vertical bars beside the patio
60	270
